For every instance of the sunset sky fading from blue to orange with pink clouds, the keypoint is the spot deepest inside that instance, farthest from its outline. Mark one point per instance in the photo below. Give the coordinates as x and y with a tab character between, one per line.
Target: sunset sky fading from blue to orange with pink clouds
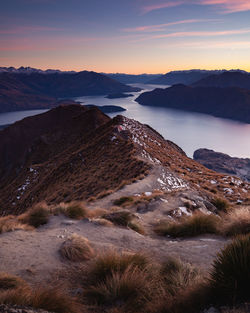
125	36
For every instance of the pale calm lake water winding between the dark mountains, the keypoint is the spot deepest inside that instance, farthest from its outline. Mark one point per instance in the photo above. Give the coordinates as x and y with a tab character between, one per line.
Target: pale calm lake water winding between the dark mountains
190	131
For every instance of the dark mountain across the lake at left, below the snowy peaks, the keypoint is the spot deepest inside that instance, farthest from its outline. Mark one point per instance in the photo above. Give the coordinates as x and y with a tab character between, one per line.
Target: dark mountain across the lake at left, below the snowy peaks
22	91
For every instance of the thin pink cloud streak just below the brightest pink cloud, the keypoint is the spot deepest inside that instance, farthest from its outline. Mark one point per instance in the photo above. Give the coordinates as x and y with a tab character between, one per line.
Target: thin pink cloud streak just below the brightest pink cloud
162	27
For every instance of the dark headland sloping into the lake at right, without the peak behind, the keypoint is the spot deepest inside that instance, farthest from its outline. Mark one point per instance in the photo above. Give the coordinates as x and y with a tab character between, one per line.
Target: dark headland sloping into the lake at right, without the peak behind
232	103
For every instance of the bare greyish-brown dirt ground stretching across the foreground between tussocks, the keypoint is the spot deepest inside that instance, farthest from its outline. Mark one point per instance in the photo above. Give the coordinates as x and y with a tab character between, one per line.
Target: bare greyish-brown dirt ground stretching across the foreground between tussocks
34	255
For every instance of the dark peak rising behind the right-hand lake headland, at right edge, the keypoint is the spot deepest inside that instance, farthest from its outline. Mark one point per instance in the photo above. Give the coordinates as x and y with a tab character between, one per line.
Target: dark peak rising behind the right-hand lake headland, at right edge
225	80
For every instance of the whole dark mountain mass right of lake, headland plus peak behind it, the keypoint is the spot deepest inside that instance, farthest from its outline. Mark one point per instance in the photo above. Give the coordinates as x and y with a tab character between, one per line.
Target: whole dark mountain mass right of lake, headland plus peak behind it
224	95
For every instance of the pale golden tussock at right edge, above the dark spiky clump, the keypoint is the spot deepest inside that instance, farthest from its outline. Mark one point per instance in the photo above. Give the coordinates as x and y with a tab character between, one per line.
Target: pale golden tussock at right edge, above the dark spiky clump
237	222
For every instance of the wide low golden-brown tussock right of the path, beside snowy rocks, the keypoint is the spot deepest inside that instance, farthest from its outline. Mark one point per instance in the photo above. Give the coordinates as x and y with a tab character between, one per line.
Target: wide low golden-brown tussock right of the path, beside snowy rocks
189	226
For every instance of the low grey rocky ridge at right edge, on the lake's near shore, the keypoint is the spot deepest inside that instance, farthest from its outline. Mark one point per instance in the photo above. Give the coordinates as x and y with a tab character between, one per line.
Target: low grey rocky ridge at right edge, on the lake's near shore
223	163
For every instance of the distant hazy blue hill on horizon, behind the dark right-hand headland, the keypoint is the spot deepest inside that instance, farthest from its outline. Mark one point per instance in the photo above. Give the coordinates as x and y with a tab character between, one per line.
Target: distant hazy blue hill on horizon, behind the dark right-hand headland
182	77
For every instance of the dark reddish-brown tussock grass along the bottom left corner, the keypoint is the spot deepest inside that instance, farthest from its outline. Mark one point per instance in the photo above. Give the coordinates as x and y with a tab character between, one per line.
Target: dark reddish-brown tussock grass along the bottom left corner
52	299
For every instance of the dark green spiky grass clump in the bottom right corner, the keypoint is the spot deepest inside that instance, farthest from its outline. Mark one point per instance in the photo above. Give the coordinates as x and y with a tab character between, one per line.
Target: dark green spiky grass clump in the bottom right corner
230	275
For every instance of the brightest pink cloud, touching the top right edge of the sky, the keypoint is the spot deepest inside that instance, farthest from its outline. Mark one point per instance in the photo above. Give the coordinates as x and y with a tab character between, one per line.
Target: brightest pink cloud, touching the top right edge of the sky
225	6
